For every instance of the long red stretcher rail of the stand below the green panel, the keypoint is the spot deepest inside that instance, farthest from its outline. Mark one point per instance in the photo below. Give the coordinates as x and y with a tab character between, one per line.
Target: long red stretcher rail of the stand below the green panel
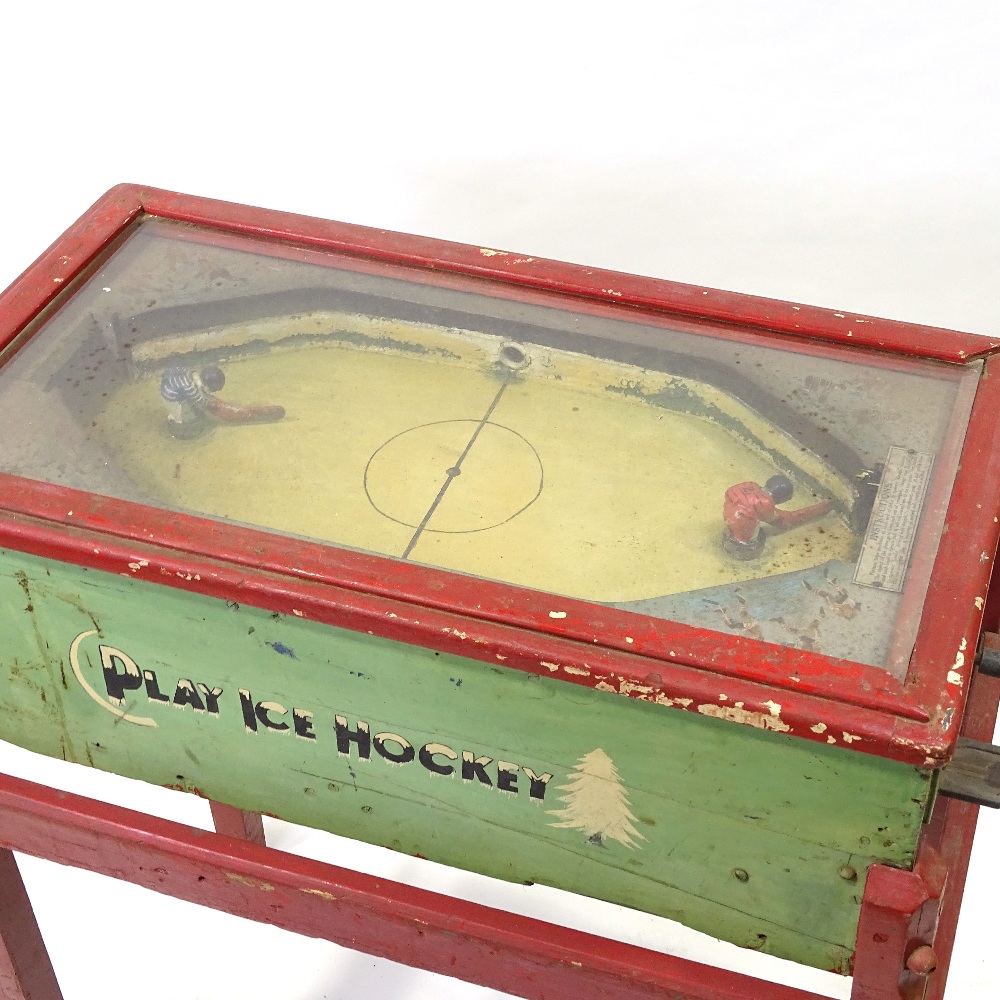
420	928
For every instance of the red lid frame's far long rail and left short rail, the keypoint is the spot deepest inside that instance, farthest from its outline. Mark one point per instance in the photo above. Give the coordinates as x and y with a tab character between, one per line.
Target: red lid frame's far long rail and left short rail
112	213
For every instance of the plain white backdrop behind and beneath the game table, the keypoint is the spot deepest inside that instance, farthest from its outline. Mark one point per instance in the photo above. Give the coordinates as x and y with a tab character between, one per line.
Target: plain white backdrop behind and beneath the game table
844	154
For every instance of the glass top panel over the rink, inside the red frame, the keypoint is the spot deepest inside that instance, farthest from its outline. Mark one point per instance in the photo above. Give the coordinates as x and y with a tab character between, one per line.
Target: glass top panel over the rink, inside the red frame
792	494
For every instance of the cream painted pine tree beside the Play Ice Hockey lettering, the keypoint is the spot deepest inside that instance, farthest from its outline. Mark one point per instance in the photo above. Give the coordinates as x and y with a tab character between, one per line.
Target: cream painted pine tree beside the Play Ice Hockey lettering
596	803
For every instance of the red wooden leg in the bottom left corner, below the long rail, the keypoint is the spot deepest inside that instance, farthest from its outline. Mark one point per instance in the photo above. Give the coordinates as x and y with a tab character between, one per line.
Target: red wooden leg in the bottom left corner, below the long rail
25	970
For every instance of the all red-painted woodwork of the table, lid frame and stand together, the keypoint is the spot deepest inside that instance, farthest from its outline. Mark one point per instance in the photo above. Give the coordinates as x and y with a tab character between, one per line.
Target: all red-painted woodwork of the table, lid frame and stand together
908	918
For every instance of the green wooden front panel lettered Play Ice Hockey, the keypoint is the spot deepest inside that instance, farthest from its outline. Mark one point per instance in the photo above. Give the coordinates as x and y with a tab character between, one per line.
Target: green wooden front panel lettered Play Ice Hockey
731	830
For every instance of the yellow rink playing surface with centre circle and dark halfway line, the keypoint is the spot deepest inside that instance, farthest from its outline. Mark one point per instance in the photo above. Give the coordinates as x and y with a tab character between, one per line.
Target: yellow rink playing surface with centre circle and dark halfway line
573	482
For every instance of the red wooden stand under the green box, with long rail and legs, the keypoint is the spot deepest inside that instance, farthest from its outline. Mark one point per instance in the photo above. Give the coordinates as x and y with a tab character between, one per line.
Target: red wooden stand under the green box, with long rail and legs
907	918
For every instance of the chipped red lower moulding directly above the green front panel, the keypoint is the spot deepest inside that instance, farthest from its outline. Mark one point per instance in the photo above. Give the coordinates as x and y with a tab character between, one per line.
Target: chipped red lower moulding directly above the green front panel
668	685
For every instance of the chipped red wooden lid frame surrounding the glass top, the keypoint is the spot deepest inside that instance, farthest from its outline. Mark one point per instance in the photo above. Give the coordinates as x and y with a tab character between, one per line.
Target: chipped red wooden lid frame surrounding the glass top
916	721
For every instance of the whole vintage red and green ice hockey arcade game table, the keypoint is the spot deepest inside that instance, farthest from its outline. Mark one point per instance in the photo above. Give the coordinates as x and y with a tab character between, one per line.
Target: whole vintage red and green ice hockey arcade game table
661	595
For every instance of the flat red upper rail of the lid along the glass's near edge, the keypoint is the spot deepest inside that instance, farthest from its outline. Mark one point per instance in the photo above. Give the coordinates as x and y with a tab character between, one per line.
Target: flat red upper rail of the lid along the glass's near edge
810	673
